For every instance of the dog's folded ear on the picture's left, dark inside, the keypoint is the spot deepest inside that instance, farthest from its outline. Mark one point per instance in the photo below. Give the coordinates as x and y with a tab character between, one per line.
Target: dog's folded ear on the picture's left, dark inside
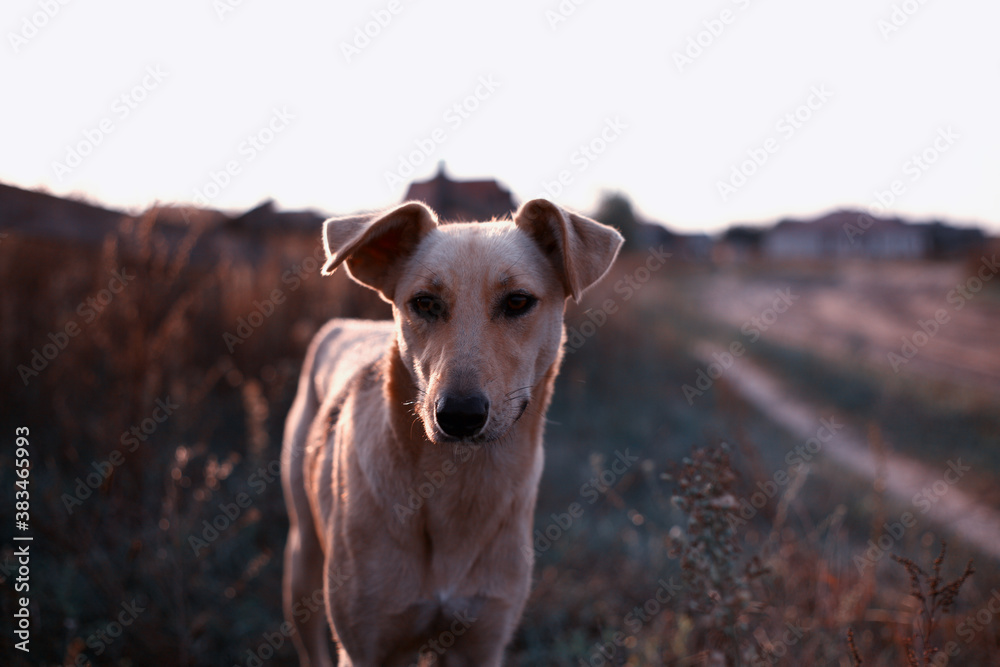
372	247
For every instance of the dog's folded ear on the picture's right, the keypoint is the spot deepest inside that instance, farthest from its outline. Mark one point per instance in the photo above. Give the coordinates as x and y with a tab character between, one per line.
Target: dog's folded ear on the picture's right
581	249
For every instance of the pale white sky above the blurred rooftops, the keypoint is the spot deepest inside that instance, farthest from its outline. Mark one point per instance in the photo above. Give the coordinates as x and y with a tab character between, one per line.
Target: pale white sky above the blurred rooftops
162	96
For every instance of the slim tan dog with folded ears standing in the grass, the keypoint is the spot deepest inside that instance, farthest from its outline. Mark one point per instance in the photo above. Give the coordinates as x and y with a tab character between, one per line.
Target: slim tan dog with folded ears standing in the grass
413	450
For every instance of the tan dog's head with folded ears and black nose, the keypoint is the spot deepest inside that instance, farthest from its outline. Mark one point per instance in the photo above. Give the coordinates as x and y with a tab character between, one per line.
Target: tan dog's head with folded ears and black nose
478	306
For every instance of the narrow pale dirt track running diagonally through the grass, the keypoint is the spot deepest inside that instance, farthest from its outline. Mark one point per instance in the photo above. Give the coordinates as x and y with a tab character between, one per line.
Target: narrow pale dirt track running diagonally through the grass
943	502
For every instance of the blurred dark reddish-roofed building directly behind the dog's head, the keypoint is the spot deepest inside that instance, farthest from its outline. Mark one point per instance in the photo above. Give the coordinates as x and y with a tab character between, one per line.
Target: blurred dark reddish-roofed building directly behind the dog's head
462	200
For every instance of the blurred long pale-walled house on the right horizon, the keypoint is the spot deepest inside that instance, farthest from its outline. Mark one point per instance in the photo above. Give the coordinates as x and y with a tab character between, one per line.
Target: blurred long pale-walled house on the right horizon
845	234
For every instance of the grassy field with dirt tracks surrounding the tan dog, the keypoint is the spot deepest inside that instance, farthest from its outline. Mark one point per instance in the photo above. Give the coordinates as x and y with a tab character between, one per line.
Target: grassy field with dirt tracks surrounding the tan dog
721	524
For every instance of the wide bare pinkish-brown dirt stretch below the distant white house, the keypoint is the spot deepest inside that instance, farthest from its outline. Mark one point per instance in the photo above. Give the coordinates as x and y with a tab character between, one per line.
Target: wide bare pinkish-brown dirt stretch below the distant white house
867	311
